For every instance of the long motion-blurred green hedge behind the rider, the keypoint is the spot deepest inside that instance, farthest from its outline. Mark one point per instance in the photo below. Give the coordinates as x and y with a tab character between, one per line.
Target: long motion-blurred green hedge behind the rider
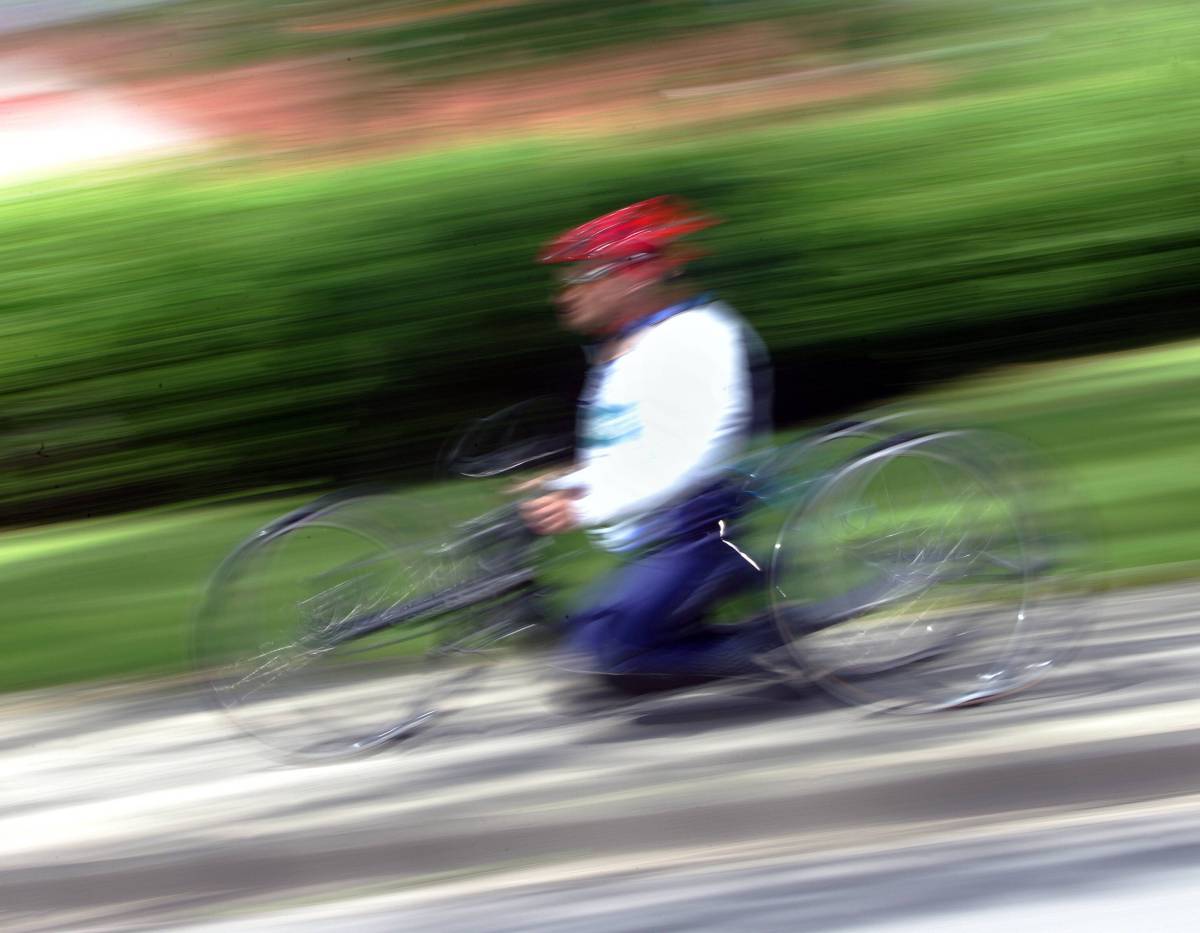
176	336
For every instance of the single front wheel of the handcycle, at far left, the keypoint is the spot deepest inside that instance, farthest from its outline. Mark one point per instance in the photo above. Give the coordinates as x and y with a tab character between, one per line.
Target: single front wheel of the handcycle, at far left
292	640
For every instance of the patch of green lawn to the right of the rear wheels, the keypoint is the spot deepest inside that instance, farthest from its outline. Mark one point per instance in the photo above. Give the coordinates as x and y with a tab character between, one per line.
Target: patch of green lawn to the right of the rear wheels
1124	430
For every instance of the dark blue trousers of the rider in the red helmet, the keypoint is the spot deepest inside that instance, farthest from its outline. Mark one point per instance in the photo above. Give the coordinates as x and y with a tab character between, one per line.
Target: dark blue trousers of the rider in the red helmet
649	617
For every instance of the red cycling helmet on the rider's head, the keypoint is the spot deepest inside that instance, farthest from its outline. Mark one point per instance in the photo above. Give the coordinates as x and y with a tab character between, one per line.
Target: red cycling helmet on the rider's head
643	231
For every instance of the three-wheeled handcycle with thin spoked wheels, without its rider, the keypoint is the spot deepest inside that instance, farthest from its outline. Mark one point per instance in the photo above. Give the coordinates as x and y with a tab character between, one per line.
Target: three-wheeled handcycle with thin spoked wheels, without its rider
909	570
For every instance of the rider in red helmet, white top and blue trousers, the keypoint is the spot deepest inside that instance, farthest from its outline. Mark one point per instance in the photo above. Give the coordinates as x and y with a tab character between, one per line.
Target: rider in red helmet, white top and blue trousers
677	386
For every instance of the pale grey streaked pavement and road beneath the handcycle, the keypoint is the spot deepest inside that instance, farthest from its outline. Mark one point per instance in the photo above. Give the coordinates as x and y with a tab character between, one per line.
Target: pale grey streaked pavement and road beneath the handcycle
1072	808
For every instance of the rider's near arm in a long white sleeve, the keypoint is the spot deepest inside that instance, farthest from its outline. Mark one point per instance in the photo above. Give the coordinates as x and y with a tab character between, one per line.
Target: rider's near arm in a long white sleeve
693	414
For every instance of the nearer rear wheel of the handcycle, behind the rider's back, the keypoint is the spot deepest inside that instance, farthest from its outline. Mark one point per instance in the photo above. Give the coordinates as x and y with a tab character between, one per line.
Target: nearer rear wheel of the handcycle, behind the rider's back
944	569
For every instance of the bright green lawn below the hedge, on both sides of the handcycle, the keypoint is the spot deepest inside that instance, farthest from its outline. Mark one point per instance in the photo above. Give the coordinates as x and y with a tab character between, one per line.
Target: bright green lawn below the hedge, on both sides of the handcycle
115	597
